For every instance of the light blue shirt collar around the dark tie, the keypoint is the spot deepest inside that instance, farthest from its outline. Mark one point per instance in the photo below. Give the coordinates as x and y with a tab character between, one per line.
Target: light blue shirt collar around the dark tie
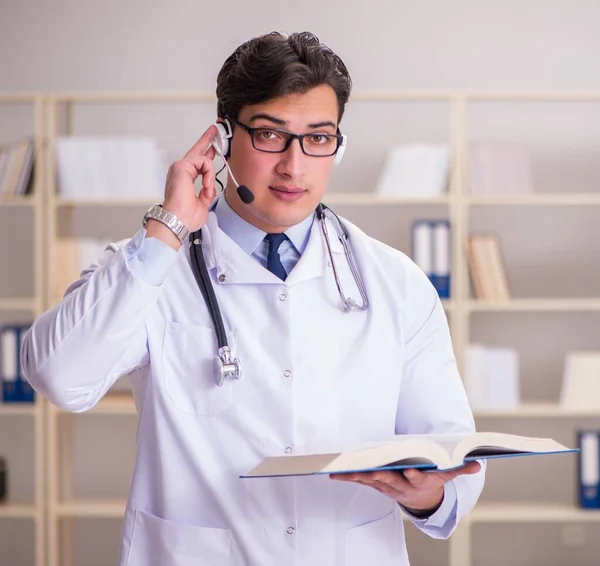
248	237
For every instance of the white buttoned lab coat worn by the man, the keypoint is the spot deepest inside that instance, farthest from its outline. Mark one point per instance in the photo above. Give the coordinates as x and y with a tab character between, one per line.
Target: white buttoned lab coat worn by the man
312	375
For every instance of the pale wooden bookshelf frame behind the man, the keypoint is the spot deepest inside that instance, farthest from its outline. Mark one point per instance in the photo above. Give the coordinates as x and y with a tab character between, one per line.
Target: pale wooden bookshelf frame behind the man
54	502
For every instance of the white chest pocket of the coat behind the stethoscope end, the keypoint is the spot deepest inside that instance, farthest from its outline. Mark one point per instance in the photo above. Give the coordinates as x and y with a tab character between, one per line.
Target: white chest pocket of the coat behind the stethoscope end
190	369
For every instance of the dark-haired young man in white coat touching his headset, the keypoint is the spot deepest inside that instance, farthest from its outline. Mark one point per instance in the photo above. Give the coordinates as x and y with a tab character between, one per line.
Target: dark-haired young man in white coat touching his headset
313	374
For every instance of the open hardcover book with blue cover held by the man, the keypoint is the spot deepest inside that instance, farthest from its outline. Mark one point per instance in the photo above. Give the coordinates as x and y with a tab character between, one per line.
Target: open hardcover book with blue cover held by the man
425	451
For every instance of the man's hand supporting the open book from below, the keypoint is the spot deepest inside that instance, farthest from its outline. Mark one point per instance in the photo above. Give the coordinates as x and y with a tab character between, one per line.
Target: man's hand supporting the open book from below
421	493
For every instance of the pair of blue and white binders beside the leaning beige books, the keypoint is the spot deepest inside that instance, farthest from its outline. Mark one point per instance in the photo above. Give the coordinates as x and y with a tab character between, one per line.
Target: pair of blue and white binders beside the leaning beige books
431	252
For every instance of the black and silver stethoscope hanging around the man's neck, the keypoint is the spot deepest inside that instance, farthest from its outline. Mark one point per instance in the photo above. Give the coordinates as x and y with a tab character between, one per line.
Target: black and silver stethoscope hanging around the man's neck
229	367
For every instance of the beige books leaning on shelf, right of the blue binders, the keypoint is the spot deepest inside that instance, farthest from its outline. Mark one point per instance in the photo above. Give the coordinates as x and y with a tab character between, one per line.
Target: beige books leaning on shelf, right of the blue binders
486	266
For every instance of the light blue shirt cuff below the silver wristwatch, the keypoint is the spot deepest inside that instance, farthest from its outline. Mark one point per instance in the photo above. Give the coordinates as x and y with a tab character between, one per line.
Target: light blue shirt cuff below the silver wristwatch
149	259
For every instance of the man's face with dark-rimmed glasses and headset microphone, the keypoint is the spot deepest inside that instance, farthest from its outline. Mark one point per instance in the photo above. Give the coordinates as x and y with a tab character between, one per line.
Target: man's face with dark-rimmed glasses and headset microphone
287	186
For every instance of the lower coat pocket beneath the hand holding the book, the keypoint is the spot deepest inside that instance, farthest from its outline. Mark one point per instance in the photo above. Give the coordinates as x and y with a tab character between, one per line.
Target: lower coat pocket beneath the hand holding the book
376	542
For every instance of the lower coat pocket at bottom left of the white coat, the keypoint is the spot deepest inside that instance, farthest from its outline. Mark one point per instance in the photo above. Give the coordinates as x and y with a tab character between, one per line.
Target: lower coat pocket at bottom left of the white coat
158	542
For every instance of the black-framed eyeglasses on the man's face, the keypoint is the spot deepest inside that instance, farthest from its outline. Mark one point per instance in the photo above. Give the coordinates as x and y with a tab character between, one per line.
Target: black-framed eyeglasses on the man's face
273	140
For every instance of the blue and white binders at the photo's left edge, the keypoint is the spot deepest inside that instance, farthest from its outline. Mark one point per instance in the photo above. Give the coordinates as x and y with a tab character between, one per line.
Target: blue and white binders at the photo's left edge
15	389
